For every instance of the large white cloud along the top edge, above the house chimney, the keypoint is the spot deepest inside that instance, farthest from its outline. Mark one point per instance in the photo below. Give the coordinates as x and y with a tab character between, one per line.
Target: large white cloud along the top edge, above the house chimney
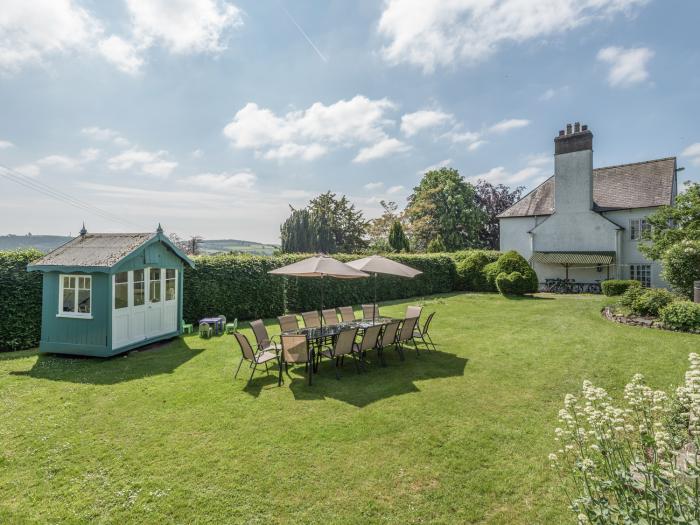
432	33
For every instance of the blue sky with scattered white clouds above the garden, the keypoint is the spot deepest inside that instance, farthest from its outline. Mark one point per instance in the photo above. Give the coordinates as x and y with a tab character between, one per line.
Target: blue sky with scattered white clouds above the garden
212	117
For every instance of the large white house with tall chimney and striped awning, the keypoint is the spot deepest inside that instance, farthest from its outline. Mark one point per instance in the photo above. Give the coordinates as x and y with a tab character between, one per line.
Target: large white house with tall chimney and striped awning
585	223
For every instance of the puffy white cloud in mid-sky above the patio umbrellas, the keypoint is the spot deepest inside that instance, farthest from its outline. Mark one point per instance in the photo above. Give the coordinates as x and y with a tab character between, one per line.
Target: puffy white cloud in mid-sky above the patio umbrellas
308	134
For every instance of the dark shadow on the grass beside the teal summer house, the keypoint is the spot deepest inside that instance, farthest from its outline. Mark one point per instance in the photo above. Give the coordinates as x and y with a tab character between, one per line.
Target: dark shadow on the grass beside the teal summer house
149	361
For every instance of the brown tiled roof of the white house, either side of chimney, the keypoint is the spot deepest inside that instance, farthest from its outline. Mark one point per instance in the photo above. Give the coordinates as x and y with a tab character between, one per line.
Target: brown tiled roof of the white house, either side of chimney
638	185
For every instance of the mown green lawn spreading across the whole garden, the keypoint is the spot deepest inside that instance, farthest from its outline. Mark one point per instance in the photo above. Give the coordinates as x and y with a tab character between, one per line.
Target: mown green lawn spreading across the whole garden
461	435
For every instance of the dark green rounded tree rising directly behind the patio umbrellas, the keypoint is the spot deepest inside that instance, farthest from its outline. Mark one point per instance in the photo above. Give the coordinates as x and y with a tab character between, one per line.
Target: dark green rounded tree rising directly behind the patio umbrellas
328	224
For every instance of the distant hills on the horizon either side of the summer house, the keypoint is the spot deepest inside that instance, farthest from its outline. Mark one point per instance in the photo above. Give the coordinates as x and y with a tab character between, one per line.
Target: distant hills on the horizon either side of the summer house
46	243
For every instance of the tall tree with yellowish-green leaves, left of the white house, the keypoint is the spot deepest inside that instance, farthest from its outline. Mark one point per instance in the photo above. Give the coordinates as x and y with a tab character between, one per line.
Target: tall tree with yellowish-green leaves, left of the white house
444	204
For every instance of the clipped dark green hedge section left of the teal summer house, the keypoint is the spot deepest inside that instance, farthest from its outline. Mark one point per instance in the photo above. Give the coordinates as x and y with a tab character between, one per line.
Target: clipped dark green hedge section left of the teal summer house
20	300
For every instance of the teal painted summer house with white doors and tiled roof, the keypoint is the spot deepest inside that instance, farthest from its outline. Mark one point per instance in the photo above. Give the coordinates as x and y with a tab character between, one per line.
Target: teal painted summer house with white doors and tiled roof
106	293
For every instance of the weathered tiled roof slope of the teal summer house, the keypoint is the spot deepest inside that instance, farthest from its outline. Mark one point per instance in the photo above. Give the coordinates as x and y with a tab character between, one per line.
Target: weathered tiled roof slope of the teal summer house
95	250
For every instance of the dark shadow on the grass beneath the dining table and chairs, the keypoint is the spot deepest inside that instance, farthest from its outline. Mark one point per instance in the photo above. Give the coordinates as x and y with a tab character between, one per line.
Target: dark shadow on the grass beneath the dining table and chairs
376	382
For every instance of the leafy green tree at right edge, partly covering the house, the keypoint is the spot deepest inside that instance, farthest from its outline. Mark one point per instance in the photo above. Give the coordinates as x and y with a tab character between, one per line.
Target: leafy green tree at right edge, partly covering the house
672	224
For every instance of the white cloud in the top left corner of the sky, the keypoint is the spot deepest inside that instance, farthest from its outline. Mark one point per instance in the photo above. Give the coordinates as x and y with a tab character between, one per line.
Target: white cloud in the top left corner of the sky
30	31
